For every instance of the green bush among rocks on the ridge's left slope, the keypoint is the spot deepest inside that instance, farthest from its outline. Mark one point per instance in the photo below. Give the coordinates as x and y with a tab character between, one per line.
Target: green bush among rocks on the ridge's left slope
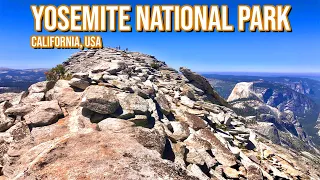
57	73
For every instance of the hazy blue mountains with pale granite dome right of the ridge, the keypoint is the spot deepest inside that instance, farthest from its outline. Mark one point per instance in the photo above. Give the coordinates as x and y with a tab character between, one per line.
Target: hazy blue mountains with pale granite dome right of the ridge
290	103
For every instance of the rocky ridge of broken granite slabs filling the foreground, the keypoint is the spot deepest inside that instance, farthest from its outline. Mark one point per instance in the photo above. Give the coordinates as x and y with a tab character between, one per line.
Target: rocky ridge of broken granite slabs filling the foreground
126	115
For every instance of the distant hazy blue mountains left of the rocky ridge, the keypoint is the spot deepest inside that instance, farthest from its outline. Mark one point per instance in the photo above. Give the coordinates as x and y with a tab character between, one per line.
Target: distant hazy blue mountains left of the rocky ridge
16	80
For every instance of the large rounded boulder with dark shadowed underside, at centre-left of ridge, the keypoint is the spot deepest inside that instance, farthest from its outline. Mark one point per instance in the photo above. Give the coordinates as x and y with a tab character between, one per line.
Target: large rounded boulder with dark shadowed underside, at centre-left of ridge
100	99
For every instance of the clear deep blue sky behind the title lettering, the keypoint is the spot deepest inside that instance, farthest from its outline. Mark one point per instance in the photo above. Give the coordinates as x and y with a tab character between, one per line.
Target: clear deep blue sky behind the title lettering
298	51
